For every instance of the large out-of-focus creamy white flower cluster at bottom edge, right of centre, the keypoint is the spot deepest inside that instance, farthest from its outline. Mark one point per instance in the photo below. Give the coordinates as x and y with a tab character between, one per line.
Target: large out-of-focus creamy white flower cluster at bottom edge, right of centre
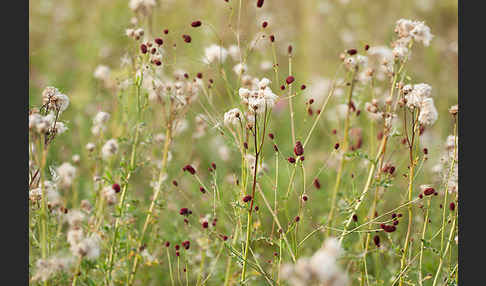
320	269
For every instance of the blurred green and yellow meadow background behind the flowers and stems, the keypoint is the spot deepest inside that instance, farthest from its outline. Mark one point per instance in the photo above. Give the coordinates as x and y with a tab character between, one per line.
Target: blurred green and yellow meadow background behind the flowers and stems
70	39
